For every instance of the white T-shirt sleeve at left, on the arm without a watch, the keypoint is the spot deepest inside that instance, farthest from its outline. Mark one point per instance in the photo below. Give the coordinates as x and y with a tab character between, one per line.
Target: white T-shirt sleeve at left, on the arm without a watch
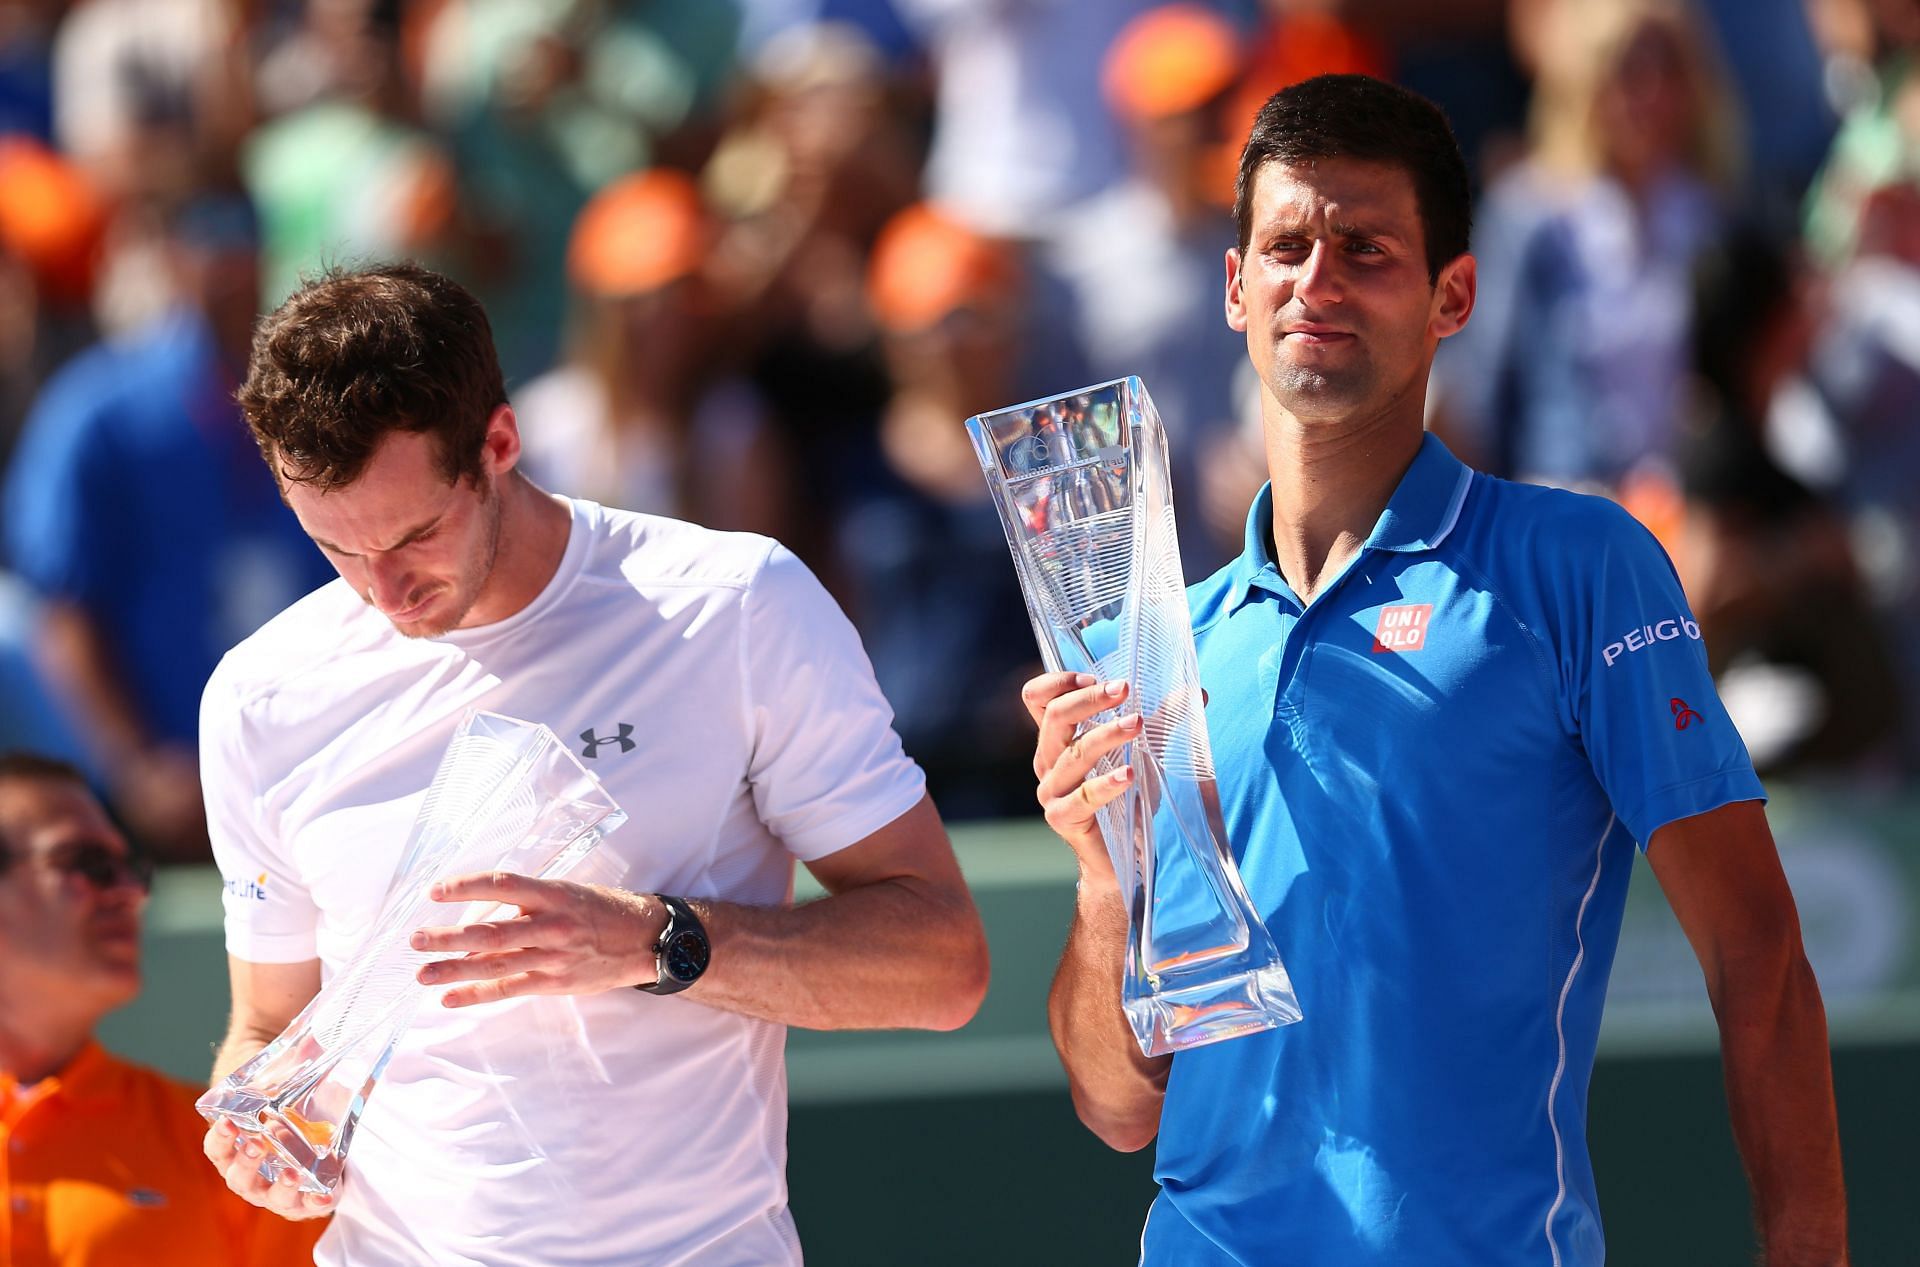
270	913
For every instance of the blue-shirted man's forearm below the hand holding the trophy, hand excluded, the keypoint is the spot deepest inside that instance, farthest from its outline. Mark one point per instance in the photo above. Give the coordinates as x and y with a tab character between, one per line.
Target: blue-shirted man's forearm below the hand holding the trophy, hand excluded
1116	1089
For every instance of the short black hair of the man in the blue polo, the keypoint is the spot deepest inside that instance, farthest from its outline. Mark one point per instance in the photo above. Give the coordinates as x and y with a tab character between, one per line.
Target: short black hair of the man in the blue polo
1364	118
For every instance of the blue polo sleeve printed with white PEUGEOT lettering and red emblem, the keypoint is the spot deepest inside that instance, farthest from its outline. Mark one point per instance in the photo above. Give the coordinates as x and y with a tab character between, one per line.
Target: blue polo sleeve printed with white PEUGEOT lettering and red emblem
1637	681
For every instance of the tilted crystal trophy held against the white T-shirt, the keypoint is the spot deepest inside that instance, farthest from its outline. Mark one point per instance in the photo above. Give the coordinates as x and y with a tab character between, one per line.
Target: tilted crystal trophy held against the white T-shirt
508	798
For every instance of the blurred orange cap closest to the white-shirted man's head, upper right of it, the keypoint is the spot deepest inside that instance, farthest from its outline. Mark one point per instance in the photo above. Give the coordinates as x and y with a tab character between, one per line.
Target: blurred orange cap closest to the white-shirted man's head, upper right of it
638	235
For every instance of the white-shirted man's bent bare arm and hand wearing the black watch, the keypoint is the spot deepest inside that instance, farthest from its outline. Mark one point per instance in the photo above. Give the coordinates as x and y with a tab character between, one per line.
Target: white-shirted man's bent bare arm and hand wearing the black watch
896	944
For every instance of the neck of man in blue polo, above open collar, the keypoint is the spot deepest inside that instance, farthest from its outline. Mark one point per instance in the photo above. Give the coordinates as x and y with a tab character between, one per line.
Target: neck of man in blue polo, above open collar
1332	483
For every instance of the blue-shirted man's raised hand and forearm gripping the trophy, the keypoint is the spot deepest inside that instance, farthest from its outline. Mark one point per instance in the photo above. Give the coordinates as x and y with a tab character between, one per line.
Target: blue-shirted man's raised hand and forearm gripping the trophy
1116	1089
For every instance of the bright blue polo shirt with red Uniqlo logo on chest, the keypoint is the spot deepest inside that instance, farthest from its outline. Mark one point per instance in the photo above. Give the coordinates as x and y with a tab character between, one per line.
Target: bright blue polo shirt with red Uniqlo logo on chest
1433	780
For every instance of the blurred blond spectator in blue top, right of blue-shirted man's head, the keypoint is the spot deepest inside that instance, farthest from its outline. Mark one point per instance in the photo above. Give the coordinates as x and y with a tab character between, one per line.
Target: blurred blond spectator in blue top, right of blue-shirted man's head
1573	368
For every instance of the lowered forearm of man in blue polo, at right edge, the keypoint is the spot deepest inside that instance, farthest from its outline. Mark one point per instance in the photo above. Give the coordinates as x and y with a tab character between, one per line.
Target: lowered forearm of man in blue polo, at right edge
1781	1095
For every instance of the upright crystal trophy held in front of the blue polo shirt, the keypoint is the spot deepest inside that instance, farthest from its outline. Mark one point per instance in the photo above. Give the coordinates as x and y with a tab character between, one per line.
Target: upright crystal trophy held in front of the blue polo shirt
1084	494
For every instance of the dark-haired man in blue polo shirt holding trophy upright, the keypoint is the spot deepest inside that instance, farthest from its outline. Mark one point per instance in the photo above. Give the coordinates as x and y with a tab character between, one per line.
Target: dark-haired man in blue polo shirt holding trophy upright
1443	711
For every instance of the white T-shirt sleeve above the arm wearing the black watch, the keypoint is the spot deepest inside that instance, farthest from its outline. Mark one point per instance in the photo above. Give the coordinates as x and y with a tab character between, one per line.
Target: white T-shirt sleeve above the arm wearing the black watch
827	765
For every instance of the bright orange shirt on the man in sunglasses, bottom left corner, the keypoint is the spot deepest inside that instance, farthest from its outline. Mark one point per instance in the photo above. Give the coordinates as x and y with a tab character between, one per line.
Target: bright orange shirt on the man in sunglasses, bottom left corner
101	1166
